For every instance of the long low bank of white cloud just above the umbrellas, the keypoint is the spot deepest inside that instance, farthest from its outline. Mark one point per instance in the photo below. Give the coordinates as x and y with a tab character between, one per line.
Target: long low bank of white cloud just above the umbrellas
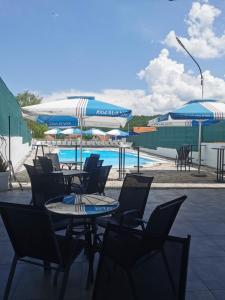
168	87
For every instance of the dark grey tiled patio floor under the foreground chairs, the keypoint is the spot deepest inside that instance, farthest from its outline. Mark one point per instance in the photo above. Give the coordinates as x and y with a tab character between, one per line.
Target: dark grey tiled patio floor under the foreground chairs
202	216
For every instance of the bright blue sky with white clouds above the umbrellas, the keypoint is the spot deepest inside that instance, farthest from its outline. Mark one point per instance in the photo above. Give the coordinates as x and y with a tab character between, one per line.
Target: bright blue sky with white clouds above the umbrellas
120	51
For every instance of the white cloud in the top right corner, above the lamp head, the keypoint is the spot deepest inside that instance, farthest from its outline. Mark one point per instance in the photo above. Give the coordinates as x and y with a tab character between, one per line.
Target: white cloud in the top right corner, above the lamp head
202	41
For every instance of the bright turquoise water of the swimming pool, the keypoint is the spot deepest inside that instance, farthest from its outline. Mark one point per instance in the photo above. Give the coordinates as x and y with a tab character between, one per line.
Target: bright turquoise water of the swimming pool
110	157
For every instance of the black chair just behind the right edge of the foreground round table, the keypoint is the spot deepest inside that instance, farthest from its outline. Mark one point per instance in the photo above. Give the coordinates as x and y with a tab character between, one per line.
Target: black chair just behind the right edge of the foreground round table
133	198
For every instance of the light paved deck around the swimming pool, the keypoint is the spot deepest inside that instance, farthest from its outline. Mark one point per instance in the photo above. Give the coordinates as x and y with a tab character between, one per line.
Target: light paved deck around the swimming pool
164	172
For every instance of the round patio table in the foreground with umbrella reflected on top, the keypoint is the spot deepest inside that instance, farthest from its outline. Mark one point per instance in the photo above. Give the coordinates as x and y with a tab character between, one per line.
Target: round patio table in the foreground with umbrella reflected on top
88	207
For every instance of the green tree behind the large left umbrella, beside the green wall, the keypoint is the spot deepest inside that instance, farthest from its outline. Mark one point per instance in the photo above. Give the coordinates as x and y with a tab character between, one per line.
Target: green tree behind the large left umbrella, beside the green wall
25	99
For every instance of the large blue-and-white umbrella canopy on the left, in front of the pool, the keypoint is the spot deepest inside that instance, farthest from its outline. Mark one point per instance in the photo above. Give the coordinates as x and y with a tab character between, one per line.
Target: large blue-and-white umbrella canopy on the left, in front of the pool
77	110
